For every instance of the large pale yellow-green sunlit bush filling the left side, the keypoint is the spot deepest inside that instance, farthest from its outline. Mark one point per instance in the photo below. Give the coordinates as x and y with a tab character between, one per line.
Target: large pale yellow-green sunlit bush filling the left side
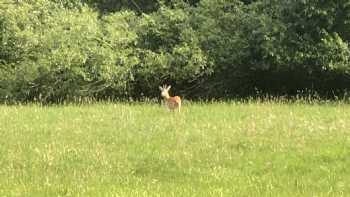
56	53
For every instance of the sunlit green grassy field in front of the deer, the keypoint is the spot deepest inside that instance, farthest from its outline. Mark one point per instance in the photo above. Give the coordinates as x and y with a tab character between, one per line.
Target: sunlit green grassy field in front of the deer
213	149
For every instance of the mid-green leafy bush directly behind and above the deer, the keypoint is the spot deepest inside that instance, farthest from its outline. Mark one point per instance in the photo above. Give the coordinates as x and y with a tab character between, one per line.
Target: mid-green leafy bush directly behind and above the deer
169	52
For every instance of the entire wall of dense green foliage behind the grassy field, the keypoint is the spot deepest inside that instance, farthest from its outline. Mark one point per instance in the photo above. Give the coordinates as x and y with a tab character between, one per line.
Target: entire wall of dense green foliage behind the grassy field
54	50
